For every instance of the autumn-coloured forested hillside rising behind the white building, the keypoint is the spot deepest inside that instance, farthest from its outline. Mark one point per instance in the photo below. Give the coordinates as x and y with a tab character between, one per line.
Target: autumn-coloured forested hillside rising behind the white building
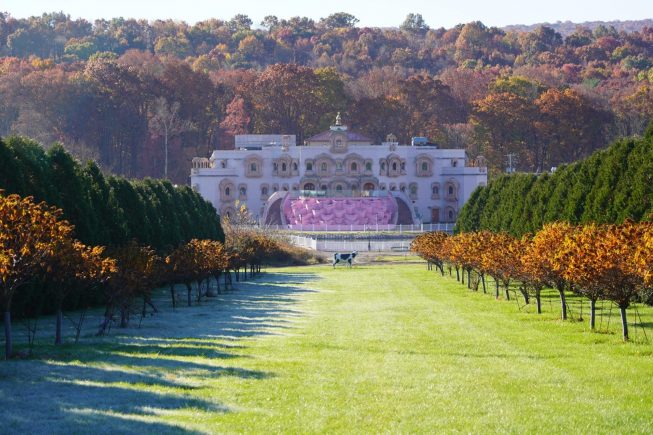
107	90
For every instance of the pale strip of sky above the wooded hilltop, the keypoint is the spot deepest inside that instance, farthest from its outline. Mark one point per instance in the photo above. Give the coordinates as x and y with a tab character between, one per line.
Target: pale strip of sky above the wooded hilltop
380	13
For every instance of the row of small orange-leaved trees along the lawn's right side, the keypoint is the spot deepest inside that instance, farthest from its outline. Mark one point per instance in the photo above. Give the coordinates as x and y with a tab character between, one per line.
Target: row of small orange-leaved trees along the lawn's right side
597	261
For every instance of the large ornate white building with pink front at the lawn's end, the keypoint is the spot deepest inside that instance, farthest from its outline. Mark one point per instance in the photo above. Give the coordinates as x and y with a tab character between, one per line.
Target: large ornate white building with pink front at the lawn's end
338	177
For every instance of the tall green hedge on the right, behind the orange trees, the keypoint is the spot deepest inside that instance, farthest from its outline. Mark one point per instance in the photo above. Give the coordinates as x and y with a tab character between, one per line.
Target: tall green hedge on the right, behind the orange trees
608	187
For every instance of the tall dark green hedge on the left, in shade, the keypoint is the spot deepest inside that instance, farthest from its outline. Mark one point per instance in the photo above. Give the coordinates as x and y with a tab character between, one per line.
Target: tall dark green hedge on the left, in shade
107	211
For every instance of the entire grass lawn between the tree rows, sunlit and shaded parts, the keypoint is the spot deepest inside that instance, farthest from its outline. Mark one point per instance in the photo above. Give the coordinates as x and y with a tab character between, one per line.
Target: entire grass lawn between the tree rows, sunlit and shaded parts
376	348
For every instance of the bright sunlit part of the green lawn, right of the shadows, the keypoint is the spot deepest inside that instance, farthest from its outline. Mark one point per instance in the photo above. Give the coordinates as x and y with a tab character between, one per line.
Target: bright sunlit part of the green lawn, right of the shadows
400	349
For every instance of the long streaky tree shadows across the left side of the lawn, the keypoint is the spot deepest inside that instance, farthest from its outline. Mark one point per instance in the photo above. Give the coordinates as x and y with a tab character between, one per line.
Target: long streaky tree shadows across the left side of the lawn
129	381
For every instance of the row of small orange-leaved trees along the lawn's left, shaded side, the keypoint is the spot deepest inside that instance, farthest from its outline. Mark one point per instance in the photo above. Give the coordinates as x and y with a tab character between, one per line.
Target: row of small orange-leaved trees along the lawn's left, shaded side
41	262
